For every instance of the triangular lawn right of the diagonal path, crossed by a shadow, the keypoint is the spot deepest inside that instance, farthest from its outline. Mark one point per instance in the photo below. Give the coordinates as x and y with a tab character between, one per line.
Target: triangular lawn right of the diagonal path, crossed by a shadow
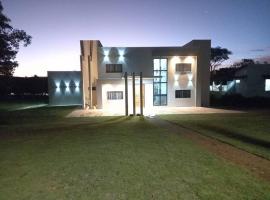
249	131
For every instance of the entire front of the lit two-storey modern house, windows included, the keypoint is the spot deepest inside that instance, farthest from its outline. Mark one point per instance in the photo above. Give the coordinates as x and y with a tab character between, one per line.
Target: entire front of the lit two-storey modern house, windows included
119	78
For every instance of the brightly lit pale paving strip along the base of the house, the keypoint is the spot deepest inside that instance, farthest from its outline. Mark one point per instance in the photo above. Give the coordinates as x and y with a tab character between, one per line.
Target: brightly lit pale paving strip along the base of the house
151	112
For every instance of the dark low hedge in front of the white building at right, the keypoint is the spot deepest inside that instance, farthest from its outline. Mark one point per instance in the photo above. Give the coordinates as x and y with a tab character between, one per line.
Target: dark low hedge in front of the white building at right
237	100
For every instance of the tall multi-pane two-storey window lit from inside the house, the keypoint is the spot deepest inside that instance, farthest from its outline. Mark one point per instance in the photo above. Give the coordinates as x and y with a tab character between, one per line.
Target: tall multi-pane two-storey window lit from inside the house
160	82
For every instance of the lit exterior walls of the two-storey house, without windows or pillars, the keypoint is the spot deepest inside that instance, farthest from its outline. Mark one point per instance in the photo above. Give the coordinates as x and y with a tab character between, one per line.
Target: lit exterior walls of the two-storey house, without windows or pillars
97	82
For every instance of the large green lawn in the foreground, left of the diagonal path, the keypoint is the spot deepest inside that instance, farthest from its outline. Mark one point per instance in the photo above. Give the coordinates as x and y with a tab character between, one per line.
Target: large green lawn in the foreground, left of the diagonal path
46	156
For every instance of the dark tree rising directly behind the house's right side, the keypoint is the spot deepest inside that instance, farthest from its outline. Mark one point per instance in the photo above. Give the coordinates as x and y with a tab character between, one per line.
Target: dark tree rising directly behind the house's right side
218	56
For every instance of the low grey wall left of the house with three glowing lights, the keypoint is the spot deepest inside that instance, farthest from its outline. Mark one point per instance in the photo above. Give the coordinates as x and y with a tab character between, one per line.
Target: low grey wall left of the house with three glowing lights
64	88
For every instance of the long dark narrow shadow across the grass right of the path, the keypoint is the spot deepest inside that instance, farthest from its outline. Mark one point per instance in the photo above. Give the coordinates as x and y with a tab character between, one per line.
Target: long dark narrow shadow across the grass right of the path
235	135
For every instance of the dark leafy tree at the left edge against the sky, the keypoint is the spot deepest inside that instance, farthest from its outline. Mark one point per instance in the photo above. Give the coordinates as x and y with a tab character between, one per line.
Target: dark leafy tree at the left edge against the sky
10	40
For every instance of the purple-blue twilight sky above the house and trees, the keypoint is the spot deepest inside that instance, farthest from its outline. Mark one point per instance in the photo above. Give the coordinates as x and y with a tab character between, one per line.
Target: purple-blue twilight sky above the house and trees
243	26
